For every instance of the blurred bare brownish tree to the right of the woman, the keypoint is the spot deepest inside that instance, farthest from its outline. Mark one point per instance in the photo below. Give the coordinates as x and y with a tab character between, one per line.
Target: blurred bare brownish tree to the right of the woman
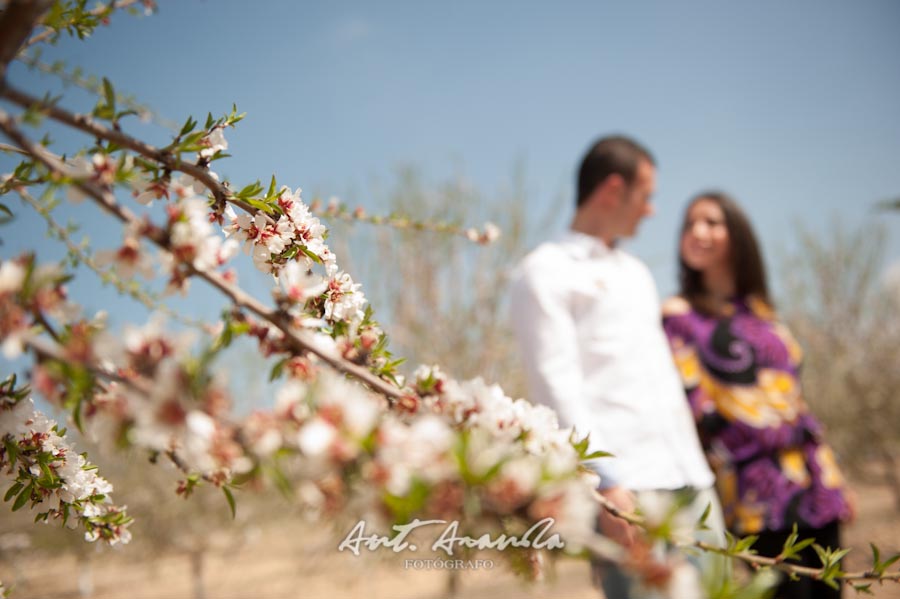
842	305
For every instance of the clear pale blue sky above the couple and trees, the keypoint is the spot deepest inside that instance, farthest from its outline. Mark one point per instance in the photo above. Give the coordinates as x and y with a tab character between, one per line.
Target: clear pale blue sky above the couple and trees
790	106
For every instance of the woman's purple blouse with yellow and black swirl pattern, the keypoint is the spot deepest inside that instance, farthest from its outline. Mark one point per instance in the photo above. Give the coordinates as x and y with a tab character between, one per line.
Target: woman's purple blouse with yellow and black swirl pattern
740	371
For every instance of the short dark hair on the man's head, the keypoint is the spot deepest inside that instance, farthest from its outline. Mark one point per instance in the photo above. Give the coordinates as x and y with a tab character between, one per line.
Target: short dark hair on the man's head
613	155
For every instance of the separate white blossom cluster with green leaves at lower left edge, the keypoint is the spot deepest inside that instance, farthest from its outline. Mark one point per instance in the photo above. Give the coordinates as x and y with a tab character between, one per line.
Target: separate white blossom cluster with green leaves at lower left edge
50	475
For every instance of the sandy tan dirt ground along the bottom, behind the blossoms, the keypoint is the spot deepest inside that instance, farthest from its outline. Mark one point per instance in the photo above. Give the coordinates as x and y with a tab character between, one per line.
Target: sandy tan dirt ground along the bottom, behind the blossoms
301	561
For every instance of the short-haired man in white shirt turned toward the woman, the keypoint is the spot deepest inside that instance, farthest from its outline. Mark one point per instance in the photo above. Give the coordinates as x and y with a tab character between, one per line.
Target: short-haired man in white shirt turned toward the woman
588	324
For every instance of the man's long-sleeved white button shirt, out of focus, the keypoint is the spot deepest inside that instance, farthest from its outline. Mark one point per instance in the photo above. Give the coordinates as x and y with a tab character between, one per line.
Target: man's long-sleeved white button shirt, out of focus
588	324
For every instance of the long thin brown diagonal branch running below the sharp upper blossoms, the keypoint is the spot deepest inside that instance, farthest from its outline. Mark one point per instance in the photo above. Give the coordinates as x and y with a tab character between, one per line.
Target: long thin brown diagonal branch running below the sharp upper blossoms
238	297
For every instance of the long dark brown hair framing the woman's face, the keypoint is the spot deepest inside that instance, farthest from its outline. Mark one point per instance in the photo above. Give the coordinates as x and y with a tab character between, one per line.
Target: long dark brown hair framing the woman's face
746	258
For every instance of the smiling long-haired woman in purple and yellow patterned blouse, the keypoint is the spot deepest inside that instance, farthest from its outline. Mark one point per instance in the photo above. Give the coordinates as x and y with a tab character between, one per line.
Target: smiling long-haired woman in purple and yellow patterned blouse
740	367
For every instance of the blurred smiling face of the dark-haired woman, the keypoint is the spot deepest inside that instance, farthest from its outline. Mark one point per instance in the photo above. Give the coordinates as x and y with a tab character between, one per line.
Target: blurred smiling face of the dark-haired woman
704	240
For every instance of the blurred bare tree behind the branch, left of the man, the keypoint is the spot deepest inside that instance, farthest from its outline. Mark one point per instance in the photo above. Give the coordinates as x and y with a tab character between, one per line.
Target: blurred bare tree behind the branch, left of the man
442	298
